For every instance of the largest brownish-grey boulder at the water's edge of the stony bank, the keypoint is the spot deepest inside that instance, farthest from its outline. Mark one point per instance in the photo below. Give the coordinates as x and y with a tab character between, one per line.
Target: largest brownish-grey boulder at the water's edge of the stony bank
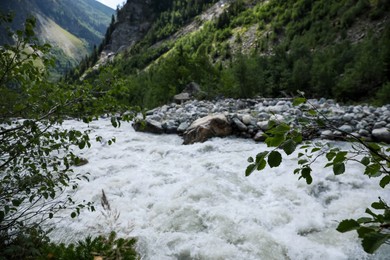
206	127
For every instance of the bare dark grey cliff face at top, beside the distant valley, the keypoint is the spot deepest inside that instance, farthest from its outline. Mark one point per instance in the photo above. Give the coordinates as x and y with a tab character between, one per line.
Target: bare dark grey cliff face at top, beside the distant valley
134	20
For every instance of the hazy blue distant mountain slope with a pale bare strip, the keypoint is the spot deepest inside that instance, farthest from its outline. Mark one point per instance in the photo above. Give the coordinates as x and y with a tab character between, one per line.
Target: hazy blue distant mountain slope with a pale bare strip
72	27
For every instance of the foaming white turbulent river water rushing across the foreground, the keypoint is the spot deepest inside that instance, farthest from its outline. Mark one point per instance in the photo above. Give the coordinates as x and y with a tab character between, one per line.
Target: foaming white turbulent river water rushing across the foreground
194	202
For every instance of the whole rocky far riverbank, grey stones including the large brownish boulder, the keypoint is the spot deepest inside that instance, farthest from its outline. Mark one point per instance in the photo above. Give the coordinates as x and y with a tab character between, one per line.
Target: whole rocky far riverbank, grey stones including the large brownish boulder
198	120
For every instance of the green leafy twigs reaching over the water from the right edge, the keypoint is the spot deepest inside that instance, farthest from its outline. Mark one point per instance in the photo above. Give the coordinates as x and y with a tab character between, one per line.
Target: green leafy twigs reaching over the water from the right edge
373	230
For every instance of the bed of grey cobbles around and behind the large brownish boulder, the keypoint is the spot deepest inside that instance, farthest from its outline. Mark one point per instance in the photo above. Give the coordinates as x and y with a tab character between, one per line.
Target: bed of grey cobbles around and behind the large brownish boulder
250	116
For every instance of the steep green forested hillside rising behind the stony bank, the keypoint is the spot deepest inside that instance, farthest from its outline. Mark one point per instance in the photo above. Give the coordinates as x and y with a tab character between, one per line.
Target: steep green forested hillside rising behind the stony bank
242	48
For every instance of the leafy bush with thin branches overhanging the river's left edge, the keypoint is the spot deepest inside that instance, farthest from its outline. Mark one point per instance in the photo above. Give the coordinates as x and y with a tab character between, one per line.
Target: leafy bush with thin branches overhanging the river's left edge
37	155
